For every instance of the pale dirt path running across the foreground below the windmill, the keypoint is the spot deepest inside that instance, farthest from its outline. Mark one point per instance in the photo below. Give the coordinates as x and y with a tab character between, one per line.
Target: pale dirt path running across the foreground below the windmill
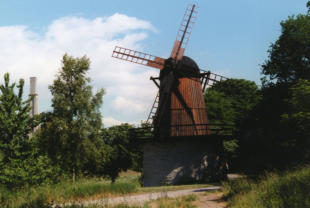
211	200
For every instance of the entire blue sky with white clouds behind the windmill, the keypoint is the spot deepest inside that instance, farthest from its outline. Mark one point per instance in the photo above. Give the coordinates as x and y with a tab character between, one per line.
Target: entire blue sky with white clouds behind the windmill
230	38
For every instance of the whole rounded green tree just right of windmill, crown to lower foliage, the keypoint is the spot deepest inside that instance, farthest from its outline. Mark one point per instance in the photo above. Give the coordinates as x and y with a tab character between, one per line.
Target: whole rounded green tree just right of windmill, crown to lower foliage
231	102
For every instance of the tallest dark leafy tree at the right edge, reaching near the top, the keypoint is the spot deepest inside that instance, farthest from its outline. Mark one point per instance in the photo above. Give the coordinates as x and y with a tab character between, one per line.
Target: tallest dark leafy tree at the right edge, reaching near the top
278	124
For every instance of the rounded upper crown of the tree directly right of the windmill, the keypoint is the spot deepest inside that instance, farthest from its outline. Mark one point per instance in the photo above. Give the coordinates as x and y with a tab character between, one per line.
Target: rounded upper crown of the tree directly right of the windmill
231	101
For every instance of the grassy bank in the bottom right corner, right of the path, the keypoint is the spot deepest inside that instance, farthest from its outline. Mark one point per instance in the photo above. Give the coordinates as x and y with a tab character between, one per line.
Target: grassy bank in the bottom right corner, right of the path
290	189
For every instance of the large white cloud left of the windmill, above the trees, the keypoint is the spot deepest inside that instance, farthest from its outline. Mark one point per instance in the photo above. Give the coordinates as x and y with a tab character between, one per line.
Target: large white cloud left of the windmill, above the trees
24	53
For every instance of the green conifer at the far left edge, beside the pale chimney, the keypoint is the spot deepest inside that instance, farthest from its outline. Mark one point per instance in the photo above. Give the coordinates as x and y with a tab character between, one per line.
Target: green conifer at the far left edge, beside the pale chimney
15	126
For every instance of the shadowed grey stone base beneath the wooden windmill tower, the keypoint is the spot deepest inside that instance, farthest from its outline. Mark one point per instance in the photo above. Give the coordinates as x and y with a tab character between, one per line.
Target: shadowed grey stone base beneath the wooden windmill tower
183	161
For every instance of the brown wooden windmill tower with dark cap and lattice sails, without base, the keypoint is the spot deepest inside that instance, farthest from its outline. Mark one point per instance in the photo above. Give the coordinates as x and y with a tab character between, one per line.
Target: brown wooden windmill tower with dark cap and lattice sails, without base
179	108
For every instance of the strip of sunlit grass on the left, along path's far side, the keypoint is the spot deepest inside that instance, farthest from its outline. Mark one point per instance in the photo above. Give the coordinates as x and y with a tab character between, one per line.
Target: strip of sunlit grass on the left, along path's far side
87	188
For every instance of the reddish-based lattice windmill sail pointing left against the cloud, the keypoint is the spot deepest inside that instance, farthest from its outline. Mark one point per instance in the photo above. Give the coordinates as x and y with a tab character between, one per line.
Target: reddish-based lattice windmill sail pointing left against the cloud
138	57
